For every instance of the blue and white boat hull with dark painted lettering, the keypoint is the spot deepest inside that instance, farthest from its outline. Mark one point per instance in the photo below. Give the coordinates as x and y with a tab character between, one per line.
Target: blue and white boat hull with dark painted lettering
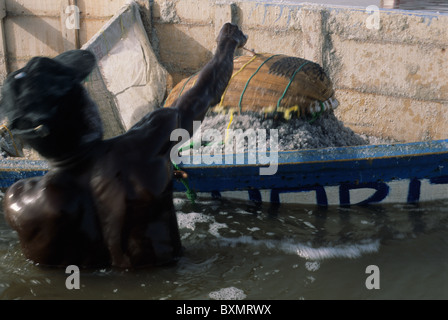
389	173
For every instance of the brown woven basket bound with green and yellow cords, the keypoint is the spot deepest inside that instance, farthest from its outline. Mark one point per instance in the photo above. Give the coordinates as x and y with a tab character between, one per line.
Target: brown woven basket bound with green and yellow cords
271	84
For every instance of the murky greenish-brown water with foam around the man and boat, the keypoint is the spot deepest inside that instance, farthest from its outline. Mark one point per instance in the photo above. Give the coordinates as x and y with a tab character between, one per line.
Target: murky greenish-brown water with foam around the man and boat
235	250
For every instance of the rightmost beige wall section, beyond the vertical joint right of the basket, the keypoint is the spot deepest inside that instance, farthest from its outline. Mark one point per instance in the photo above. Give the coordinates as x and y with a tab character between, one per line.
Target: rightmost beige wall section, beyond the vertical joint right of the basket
392	81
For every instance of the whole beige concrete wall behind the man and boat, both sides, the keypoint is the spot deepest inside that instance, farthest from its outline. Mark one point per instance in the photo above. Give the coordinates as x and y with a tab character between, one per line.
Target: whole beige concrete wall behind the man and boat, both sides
391	81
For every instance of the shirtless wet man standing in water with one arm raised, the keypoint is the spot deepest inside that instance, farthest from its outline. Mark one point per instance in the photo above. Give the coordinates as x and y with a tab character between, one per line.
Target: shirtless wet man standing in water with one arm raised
104	202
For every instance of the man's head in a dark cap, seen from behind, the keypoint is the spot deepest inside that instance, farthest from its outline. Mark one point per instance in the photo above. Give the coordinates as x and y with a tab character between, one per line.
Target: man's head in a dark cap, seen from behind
47	107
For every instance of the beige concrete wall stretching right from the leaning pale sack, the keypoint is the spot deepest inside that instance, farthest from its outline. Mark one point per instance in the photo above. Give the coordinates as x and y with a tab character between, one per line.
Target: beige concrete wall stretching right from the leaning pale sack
391	82
